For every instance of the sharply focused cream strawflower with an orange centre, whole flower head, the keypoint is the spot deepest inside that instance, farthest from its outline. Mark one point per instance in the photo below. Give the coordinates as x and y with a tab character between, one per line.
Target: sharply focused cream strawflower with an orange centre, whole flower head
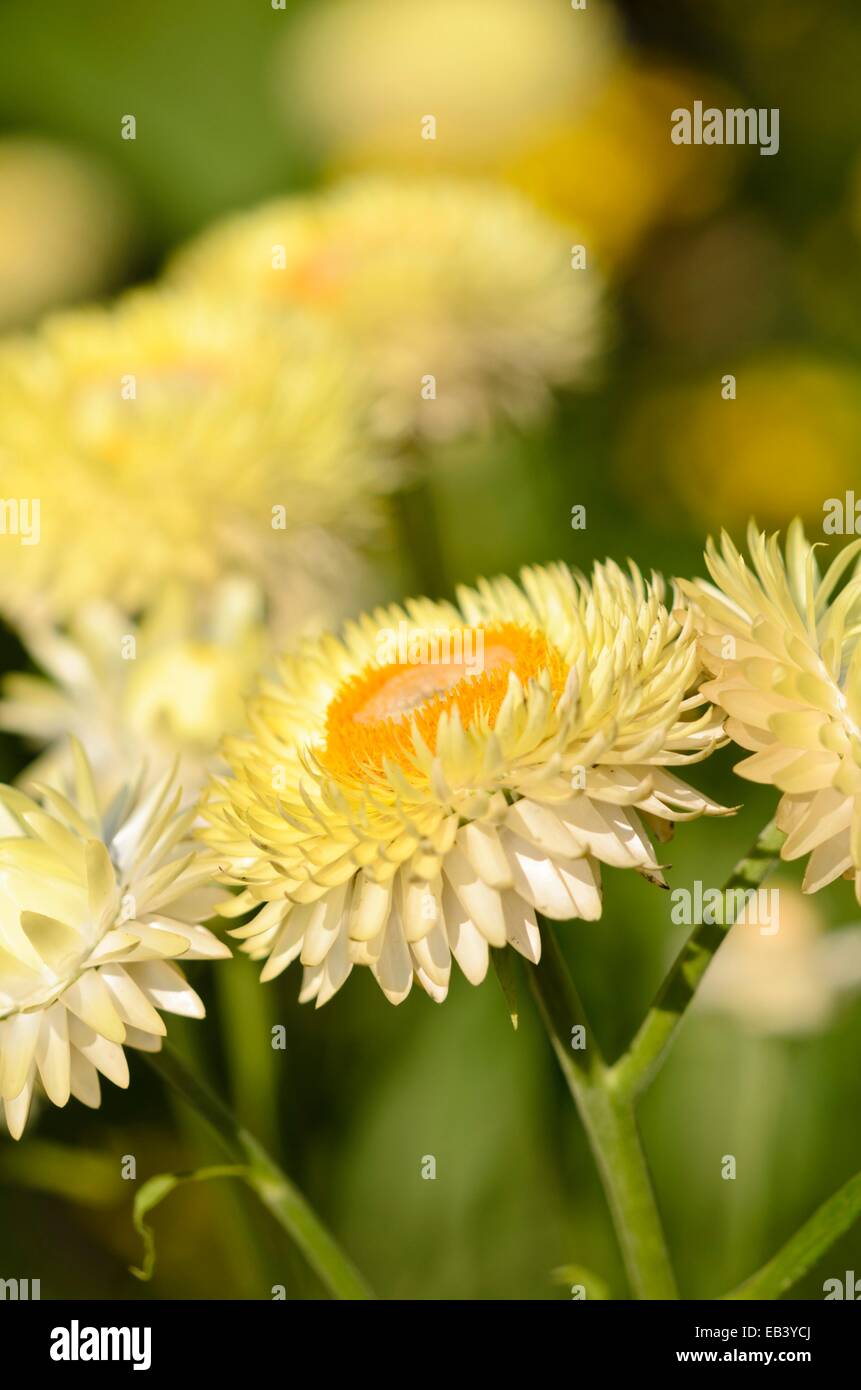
428	785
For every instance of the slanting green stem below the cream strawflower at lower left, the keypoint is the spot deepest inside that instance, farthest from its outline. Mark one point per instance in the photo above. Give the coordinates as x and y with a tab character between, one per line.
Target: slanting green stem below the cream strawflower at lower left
273	1188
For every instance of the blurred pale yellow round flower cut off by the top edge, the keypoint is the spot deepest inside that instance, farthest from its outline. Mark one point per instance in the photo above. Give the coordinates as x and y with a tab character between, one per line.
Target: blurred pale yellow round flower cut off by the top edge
360	77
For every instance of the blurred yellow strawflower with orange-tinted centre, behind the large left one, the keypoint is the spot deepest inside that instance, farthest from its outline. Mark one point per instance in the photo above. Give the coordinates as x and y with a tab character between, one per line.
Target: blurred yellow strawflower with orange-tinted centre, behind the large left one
460	298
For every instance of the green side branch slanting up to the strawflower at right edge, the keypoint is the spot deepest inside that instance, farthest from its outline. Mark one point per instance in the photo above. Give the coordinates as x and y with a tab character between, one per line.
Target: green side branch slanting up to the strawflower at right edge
659	1031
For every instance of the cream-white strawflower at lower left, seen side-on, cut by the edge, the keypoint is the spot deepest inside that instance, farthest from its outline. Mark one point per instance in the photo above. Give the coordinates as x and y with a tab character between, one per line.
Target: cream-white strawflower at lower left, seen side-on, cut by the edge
95	907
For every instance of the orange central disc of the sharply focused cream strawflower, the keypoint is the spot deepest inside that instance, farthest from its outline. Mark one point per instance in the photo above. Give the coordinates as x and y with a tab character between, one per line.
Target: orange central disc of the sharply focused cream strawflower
371	719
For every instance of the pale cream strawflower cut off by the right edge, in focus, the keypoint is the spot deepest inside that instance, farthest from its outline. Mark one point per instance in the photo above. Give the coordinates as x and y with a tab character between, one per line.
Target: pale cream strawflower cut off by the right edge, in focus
782	644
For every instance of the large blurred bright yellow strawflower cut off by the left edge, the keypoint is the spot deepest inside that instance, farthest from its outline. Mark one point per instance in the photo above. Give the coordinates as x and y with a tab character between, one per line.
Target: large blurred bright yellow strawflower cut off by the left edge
172	439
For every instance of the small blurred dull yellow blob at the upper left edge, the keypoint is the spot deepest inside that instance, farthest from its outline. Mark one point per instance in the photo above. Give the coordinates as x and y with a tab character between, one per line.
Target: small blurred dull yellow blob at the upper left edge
65	229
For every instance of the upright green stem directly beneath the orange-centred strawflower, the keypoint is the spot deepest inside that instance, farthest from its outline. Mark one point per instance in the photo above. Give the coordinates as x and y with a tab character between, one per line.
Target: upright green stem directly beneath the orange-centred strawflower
610	1124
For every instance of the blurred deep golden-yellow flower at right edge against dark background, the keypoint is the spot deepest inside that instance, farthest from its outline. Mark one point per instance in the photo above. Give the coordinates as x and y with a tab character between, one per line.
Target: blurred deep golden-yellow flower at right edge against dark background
785	444
